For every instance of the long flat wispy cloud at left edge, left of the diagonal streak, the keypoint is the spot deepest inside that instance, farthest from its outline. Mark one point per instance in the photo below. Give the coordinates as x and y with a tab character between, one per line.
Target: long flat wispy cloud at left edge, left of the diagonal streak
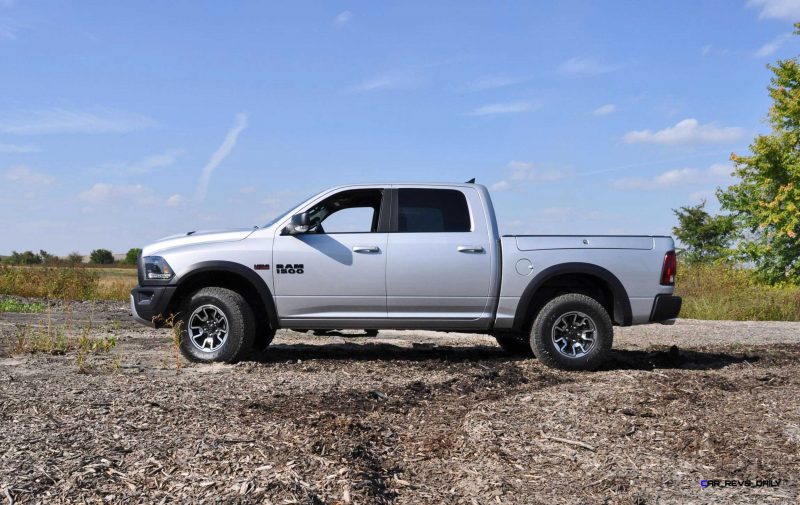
71	121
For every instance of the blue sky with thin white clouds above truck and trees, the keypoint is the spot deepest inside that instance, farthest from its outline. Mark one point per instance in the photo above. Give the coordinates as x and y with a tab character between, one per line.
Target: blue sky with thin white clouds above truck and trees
124	122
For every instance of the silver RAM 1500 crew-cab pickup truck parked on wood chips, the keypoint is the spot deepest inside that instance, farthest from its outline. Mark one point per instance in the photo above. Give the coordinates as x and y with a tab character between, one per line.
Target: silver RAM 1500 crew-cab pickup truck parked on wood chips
405	256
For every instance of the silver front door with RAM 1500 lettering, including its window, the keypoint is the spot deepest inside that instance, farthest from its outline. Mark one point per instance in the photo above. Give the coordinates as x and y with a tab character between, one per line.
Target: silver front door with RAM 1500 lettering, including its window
337	271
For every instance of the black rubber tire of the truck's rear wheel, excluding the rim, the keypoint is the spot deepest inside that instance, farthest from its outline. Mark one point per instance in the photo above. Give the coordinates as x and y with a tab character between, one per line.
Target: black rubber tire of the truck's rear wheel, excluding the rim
542	332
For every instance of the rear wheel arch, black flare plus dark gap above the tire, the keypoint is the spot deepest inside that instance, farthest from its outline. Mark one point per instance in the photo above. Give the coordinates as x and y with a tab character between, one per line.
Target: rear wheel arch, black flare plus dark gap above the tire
584	278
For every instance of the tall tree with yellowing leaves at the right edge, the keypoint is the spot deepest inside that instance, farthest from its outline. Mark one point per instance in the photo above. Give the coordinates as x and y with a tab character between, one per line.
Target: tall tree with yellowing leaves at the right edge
766	202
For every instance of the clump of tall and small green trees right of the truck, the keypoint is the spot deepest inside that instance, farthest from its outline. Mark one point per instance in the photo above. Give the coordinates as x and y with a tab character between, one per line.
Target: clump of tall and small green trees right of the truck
762	225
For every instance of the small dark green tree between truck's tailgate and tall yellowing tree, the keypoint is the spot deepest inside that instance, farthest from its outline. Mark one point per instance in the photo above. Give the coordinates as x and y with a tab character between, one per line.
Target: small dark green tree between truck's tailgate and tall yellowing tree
705	238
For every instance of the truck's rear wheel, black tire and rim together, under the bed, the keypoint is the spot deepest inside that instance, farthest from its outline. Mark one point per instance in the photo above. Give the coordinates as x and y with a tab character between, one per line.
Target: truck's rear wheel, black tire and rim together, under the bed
572	332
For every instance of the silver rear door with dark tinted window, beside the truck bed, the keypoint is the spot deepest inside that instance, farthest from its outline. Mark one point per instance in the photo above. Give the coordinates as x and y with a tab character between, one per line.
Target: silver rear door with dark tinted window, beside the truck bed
438	268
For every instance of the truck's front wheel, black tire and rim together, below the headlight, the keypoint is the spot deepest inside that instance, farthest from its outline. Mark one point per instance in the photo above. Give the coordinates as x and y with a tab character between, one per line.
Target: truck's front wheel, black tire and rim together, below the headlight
217	324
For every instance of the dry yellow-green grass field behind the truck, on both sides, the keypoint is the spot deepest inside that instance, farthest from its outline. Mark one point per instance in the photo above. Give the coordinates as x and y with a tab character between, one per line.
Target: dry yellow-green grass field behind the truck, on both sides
708	291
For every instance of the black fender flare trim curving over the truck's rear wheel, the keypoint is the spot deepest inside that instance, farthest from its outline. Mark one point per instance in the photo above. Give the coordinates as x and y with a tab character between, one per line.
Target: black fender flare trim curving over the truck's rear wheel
622	303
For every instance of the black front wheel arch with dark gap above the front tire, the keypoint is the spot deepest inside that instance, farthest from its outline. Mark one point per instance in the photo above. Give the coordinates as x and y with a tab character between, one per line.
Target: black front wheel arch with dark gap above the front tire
227	274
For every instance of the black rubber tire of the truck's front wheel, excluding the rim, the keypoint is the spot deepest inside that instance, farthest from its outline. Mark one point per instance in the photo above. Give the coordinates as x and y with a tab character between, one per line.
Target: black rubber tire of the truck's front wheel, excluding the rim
241	325
